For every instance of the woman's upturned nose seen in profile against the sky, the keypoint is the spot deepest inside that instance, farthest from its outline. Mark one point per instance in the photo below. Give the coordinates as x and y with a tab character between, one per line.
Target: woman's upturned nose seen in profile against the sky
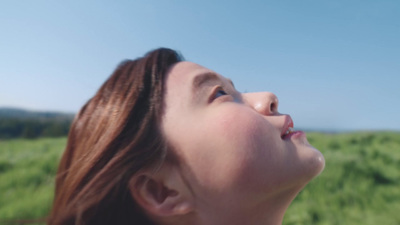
265	103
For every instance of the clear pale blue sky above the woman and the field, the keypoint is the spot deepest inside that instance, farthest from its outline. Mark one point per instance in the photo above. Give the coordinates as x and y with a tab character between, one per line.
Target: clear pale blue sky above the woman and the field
334	65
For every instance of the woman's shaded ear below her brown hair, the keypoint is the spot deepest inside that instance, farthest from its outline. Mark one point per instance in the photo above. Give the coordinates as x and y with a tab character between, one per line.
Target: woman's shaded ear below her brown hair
162	193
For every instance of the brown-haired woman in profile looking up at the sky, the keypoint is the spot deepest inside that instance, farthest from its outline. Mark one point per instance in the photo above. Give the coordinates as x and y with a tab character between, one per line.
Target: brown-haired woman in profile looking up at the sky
165	141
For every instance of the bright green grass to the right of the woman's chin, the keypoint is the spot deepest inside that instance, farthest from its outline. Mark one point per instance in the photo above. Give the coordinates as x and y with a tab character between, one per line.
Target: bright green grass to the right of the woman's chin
360	183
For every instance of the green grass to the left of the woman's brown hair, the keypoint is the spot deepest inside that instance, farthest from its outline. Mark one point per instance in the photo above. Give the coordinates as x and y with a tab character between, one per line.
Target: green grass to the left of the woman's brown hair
27	169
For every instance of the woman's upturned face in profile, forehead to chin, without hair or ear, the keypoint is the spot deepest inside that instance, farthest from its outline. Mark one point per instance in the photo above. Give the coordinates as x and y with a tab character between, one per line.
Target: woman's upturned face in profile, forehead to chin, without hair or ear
232	145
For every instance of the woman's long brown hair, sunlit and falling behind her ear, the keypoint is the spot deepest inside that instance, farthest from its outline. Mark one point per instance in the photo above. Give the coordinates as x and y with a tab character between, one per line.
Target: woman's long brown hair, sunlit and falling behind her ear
115	134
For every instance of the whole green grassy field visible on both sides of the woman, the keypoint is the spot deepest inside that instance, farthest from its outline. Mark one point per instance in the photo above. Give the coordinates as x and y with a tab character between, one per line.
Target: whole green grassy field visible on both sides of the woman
360	183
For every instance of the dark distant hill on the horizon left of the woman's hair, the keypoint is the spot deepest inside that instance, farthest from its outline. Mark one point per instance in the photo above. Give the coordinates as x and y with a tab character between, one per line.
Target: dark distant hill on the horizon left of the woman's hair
20	123
